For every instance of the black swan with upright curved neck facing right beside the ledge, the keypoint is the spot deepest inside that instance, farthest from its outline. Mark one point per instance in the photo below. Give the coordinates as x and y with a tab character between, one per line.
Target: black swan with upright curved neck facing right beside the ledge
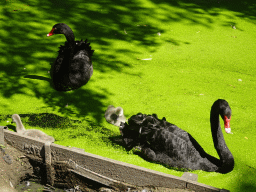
163	142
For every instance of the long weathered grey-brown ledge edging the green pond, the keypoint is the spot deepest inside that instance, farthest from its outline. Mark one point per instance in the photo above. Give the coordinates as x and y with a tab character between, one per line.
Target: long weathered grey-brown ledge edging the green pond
97	168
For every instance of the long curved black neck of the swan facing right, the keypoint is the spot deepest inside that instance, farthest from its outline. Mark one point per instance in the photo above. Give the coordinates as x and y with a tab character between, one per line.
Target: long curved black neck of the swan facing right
226	158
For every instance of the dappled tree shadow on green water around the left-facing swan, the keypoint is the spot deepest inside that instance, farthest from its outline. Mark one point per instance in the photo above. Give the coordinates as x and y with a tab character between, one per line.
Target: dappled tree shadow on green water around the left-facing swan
26	52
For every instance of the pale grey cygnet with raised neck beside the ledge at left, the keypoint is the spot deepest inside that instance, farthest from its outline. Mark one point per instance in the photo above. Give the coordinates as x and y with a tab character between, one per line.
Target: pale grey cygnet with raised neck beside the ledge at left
37	134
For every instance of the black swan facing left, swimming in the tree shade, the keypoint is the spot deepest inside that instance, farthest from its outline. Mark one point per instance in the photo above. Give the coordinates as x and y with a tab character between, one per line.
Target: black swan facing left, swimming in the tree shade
73	67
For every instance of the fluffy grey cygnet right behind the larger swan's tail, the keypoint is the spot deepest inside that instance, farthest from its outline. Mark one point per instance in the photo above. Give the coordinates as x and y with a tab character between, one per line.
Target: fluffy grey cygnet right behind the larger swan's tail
115	115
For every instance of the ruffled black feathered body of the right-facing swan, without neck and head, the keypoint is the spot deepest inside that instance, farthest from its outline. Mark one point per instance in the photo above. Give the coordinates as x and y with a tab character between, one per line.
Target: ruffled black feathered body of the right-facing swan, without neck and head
173	146
